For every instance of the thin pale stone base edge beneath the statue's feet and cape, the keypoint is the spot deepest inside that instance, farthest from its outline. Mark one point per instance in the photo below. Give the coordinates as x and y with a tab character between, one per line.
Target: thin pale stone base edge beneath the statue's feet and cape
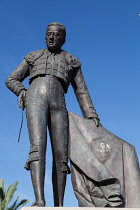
74	208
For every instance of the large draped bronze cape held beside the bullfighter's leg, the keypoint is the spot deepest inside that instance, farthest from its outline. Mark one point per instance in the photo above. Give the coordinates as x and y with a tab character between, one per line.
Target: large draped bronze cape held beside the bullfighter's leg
104	168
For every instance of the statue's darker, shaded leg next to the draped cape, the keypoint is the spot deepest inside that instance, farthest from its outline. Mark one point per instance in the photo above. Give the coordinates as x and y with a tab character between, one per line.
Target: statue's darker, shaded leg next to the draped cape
59	139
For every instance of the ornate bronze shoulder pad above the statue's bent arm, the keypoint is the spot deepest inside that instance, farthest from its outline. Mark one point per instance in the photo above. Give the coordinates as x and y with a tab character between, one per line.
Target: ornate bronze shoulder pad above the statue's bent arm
32	56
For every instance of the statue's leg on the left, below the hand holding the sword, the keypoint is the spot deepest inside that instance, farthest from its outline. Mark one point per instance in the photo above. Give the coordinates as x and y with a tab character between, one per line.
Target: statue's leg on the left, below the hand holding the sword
36	114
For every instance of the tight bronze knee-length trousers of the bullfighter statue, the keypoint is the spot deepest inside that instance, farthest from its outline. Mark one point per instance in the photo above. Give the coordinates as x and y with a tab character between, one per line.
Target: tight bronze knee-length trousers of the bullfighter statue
45	106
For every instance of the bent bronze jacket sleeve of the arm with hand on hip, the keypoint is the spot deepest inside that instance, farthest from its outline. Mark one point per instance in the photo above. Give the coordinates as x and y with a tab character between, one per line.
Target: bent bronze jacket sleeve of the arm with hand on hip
14	80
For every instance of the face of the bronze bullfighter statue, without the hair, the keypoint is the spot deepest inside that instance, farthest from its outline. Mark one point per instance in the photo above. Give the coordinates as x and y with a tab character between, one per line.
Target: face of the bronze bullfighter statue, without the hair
54	38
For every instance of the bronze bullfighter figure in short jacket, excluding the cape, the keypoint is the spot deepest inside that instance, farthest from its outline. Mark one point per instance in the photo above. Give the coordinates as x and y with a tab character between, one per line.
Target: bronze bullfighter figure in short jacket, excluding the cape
51	71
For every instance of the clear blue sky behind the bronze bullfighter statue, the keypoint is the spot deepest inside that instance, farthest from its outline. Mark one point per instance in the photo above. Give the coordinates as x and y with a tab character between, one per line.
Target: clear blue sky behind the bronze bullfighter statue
105	36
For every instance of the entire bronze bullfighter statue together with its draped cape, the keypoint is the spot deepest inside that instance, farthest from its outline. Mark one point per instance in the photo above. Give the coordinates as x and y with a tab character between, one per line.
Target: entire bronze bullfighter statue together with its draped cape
105	170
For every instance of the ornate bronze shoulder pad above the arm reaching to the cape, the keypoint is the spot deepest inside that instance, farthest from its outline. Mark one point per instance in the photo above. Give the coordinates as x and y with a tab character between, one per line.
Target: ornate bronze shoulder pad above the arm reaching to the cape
72	60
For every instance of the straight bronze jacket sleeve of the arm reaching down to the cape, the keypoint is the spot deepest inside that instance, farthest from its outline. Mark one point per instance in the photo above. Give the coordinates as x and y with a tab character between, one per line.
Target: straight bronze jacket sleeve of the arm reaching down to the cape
82	95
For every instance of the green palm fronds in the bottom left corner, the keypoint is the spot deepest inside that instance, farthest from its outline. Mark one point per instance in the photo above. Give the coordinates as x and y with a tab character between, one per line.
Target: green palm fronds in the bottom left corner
7	195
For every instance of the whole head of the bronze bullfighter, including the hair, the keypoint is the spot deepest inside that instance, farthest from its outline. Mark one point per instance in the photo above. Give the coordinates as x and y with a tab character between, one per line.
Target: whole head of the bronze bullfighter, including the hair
55	36
